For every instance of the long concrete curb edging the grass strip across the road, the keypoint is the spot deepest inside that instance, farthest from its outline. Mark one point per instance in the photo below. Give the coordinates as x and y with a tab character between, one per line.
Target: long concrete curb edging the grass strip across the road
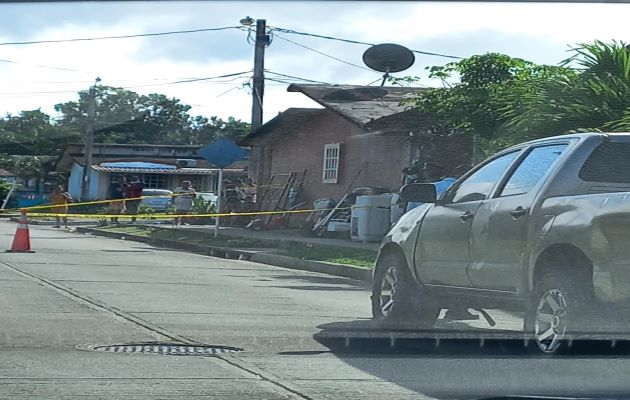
345	271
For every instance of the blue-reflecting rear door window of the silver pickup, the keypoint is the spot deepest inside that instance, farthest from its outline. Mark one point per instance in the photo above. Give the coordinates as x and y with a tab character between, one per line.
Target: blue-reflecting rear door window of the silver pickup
532	169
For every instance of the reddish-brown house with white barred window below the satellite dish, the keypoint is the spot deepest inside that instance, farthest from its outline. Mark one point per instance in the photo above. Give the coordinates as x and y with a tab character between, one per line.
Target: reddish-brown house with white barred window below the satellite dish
362	137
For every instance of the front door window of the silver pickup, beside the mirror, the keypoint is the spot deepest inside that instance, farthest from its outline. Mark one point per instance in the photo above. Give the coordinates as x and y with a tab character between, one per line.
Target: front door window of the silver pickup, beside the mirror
479	185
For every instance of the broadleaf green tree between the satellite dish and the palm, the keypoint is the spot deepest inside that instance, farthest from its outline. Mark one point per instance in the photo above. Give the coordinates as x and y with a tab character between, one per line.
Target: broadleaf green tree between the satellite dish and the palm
488	86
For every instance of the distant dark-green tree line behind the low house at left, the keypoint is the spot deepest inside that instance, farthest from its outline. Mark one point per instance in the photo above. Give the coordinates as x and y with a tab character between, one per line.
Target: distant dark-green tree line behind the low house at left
122	116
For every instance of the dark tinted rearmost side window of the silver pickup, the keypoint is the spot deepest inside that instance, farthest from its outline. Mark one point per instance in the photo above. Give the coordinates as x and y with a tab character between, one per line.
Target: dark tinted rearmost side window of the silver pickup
609	162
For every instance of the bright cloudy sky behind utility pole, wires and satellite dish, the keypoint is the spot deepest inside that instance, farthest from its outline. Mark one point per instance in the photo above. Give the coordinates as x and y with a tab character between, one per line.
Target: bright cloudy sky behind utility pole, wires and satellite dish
538	32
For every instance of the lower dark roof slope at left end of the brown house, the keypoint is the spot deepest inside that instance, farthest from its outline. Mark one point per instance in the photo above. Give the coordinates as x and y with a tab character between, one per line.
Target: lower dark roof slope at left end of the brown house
288	121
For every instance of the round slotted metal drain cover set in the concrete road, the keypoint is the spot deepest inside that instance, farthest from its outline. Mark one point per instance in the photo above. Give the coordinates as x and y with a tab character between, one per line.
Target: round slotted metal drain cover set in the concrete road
167	349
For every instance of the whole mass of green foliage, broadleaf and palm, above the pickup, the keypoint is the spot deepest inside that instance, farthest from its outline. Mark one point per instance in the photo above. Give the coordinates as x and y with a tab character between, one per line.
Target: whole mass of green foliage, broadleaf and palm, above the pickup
500	100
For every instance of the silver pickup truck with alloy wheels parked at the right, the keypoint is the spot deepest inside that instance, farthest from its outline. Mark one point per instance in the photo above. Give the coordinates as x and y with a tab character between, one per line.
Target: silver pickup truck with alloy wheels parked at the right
544	226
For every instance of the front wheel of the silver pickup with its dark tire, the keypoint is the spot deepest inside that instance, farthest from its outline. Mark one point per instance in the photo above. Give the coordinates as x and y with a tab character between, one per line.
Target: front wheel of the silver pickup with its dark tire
397	300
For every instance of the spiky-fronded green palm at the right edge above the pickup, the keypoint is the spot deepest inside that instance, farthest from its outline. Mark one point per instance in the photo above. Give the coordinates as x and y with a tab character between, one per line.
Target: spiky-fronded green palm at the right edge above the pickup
595	98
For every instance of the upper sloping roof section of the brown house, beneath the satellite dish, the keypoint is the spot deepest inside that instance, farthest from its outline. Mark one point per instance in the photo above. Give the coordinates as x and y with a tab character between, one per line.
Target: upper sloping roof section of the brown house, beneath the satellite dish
361	105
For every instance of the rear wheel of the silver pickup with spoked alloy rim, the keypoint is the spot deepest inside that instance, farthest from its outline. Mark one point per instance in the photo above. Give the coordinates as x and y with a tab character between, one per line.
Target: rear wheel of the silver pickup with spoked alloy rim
560	306
